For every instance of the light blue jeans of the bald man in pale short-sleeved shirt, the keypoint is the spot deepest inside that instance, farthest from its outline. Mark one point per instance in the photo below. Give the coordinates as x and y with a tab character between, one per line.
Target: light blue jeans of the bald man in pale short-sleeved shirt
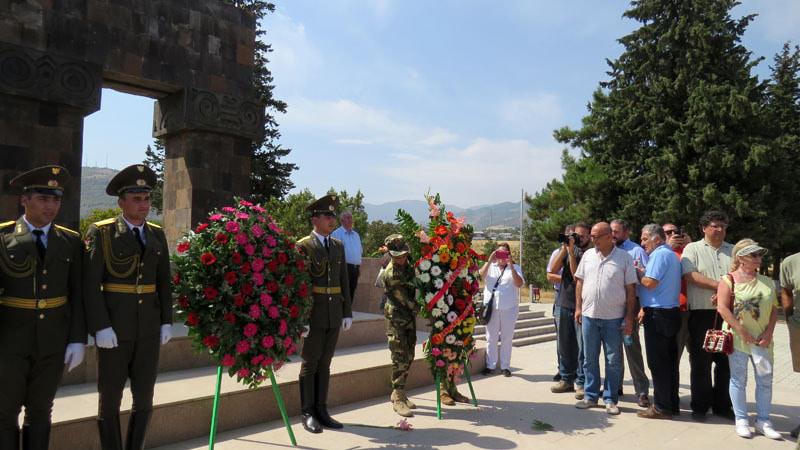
609	333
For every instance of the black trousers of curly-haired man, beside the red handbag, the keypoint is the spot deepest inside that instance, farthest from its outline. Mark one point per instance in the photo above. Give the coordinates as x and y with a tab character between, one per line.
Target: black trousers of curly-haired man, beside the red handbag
706	395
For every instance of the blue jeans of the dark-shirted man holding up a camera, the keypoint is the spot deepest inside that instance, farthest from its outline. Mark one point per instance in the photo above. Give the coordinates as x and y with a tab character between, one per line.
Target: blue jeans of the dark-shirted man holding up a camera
570	346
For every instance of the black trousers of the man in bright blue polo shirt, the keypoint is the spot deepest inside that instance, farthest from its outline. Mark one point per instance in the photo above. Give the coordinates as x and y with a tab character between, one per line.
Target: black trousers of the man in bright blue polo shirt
661	327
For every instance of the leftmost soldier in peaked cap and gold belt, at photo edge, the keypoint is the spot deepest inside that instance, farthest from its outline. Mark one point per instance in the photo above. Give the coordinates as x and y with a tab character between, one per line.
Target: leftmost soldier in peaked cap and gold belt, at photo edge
42	324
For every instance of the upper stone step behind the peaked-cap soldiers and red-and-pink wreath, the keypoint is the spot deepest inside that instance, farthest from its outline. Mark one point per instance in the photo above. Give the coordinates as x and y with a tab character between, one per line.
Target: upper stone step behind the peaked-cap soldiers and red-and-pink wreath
179	354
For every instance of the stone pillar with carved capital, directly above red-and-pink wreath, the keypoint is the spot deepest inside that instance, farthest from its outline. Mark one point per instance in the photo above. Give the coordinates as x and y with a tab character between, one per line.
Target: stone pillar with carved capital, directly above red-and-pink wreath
207	139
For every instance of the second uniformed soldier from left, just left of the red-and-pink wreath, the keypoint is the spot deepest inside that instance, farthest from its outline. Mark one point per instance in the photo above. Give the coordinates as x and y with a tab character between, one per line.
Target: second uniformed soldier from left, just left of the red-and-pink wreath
128	305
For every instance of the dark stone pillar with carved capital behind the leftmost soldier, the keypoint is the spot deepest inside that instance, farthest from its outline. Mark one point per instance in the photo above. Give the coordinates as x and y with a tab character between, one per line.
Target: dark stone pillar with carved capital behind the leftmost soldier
43	100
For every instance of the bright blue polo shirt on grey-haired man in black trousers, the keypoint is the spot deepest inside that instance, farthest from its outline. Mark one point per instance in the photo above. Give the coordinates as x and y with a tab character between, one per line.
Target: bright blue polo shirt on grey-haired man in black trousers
664	267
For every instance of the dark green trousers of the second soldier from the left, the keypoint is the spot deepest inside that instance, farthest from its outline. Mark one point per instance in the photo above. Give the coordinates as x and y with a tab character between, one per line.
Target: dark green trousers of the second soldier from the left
137	360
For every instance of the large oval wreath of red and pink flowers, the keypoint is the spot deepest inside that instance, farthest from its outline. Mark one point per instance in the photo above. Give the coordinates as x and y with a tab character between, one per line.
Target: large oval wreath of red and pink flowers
243	290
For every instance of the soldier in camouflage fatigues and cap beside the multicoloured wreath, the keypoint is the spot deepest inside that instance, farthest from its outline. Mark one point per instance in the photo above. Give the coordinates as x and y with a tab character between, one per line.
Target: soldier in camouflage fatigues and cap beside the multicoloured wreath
401	313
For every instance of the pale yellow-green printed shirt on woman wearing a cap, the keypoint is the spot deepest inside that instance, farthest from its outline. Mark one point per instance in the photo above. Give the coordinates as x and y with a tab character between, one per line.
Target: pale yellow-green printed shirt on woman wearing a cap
753	308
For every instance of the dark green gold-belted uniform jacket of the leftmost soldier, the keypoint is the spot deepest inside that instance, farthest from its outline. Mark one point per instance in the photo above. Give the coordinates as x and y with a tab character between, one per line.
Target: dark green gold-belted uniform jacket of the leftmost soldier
26	280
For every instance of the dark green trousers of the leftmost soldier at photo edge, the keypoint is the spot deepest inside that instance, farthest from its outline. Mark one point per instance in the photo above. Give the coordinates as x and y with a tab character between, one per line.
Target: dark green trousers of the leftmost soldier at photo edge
28	380
